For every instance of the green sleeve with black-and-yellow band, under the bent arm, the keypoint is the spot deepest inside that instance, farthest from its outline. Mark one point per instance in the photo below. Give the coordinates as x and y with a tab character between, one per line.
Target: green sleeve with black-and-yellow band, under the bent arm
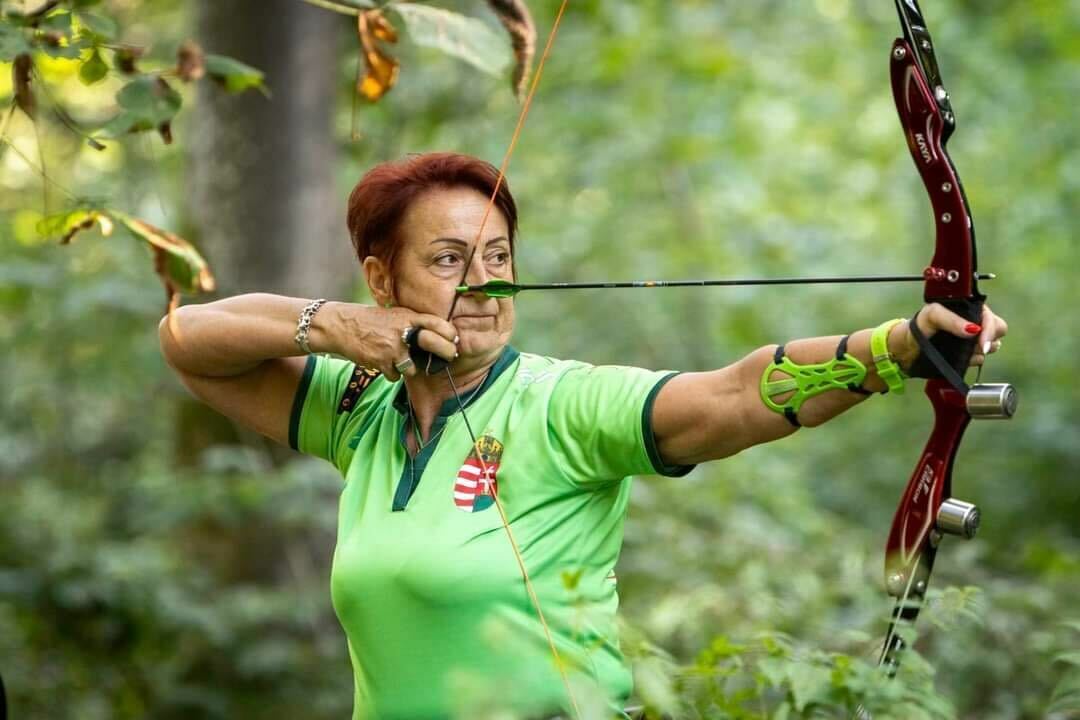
328	407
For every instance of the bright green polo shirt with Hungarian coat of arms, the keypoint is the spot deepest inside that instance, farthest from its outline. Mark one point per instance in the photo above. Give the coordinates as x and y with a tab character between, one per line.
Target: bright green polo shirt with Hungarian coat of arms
425	581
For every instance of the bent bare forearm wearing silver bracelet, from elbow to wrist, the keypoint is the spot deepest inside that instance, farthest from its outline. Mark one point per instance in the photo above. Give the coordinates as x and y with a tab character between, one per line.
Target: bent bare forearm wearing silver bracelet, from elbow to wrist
235	335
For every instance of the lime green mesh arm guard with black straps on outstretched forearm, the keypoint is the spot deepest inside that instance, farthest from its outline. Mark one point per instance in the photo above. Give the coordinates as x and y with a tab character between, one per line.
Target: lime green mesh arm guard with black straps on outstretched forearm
844	372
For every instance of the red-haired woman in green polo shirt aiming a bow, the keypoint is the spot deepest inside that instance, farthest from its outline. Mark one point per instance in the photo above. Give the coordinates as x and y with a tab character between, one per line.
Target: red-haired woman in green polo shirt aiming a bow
438	467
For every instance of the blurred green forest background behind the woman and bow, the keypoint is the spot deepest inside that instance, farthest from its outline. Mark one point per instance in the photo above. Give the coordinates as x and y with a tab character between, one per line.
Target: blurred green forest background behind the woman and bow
157	562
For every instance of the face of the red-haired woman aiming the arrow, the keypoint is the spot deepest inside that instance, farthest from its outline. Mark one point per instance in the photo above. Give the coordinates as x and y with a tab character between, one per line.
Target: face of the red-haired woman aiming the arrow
438	235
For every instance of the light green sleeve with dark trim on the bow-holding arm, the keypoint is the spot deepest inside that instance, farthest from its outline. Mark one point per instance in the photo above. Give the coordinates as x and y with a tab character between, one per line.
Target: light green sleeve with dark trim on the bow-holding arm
601	419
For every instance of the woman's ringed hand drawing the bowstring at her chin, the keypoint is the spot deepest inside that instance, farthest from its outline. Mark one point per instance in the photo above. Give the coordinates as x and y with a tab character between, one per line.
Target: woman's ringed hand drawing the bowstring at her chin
372	336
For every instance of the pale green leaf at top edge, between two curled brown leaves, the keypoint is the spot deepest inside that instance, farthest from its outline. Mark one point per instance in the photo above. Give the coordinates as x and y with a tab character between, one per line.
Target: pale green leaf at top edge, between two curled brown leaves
463	37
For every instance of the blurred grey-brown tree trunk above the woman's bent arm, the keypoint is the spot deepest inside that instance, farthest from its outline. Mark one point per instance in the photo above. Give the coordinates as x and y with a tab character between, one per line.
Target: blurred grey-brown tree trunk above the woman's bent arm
264	201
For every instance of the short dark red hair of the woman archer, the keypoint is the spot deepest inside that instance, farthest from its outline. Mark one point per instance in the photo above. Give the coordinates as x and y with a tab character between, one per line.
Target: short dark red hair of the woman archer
380	201
